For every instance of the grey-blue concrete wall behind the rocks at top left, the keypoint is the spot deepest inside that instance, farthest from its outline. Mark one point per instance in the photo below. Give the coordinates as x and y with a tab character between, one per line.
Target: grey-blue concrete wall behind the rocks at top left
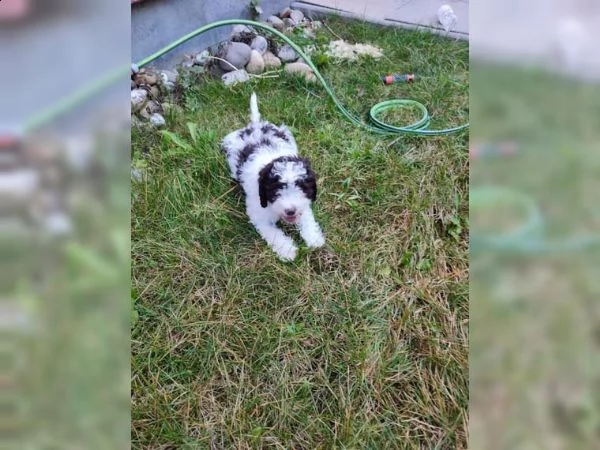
157	23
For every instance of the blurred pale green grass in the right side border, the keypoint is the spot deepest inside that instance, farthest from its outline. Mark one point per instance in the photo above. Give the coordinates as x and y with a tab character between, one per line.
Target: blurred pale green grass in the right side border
536	318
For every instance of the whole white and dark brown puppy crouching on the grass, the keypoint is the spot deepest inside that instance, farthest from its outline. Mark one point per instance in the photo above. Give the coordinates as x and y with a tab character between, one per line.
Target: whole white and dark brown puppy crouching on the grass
279	185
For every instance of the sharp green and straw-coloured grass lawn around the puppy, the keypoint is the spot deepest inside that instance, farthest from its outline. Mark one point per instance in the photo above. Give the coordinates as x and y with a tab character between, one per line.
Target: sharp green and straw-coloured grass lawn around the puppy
360	345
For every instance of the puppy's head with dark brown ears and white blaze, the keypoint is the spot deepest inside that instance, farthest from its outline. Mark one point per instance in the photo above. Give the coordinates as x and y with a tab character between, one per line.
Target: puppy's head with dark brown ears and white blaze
287	185
